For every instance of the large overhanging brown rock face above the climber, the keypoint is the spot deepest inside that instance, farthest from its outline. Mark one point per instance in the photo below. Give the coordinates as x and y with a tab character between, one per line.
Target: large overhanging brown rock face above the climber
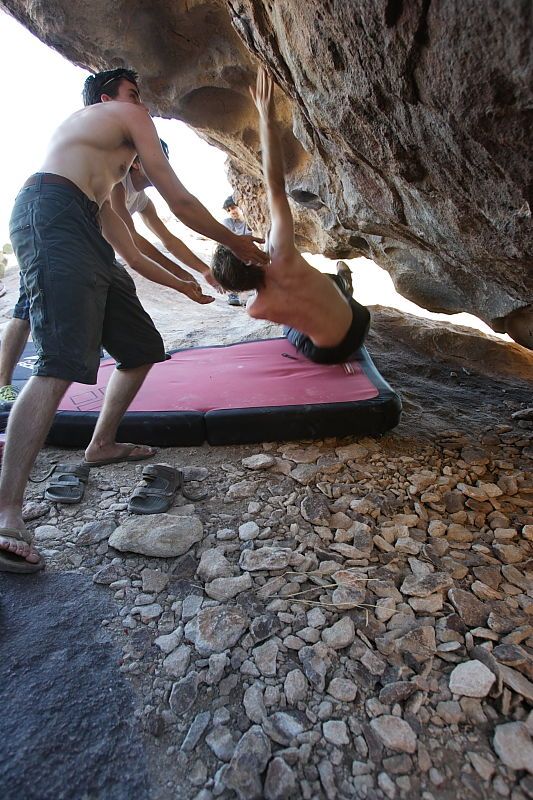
404	125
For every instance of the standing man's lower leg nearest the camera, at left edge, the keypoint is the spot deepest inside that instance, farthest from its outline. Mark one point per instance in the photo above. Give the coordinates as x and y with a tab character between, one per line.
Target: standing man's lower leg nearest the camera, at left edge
29	422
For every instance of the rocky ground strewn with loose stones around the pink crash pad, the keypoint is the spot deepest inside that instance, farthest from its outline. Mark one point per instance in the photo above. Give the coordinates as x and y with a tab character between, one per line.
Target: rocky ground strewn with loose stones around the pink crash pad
337	619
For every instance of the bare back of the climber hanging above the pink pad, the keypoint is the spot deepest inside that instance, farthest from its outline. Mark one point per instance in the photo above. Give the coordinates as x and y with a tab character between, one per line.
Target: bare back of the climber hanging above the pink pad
298	295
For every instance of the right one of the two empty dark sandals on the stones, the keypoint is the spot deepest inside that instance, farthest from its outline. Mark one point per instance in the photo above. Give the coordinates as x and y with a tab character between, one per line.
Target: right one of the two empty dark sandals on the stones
155	496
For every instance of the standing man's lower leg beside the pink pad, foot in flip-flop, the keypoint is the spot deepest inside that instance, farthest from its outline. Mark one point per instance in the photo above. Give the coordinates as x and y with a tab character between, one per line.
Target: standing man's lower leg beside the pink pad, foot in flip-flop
121	389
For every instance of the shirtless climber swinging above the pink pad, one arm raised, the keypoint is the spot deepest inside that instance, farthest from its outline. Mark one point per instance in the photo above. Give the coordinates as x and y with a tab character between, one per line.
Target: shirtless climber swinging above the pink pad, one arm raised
324	324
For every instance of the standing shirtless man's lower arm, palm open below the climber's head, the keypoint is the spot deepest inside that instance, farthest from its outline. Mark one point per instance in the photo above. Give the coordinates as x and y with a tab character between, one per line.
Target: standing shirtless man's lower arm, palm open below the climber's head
119	237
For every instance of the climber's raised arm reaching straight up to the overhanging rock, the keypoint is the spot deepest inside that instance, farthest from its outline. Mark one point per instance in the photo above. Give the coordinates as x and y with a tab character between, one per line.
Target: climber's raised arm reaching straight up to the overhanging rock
281	240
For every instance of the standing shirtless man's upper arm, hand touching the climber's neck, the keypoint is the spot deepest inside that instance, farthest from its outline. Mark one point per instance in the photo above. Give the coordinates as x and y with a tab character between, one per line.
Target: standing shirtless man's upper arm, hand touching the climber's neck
182	203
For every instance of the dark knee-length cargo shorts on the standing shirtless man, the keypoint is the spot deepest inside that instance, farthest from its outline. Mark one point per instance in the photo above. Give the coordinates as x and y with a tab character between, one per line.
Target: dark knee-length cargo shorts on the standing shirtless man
79	298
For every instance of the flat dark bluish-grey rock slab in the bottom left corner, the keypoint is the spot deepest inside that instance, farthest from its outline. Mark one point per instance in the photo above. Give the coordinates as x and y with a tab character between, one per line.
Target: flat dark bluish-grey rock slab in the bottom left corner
66	721
